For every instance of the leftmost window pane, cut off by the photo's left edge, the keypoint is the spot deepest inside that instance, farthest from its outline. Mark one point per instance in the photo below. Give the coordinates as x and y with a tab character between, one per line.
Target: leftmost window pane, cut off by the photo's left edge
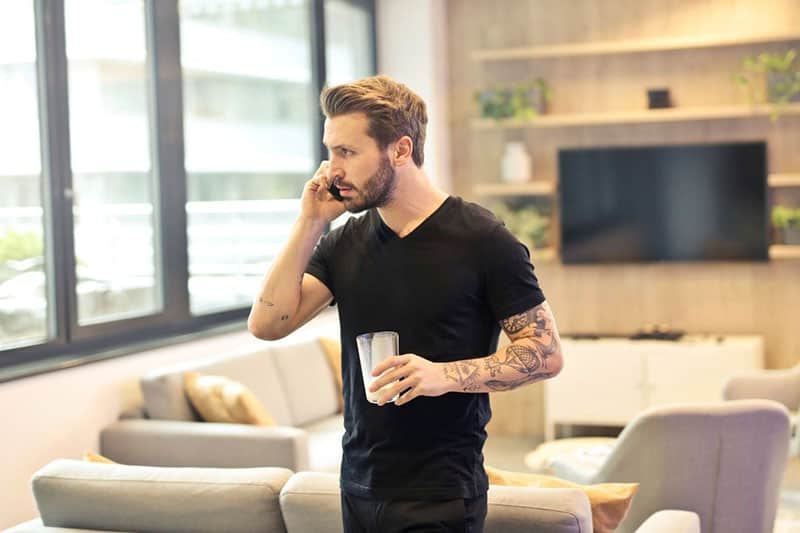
23	279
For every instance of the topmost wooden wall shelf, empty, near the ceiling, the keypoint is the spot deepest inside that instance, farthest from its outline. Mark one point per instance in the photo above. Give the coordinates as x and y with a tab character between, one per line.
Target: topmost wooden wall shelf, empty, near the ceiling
626	47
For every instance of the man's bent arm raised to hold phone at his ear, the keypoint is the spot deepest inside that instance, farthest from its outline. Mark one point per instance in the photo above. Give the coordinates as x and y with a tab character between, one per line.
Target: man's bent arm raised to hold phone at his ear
288	297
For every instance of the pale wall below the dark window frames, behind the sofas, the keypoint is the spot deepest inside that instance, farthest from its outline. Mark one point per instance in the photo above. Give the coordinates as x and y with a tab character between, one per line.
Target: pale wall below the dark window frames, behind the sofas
60	414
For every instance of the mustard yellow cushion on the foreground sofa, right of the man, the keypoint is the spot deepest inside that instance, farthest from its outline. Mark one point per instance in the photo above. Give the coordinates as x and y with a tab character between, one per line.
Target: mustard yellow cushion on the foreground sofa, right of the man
610	501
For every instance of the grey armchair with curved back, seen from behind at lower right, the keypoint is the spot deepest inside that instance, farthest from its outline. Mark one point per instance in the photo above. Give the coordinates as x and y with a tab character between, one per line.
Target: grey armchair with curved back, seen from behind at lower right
723	460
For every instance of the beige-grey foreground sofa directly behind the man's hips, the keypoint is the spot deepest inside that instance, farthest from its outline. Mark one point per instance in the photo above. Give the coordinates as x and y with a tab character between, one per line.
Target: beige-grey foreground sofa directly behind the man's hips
75	496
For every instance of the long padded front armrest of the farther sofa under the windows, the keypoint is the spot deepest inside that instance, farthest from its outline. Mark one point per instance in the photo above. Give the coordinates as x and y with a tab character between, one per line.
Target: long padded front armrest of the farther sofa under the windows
179	443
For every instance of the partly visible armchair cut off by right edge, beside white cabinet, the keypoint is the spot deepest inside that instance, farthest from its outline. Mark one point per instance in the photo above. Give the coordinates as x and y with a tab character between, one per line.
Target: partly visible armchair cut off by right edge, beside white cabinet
782	386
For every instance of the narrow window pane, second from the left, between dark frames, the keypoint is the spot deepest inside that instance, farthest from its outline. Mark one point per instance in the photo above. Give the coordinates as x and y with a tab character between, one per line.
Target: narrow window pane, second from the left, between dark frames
113	199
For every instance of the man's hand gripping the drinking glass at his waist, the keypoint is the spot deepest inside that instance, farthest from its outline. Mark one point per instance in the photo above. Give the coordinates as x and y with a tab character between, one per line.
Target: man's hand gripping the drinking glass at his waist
420	376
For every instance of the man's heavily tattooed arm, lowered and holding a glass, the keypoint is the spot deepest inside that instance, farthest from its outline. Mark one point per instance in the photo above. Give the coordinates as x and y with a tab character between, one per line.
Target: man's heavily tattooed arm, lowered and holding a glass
533	355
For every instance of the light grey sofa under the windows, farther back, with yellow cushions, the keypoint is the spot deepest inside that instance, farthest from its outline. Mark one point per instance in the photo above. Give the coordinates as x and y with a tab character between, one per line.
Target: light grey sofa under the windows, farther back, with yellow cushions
295	383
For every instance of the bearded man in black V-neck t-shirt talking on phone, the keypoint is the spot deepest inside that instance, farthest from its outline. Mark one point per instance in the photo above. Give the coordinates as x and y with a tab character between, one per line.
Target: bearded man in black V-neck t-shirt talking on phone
442	272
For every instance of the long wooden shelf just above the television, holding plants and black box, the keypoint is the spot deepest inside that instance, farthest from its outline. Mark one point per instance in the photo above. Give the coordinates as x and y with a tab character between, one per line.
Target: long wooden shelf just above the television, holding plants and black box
675	114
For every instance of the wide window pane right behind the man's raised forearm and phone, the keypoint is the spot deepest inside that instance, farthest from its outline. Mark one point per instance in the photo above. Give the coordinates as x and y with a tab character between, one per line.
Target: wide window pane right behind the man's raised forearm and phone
249	137
